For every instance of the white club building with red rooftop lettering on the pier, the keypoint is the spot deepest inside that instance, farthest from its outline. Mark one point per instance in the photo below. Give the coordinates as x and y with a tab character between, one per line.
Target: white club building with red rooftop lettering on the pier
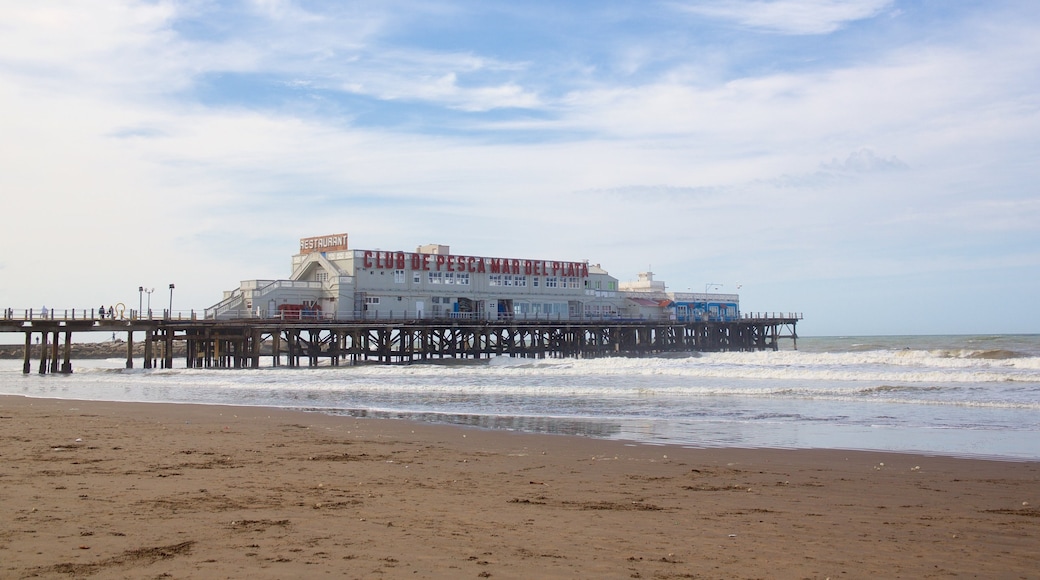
329	281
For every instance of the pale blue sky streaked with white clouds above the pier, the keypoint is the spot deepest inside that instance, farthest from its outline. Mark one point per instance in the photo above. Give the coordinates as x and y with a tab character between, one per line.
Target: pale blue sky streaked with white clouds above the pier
872	165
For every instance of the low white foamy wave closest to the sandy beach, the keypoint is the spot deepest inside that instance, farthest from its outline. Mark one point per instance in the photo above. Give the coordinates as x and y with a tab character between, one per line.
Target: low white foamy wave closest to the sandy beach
457	388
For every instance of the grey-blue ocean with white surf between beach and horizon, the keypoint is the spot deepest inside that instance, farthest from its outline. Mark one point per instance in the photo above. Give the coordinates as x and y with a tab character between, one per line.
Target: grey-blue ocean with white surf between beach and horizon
975	397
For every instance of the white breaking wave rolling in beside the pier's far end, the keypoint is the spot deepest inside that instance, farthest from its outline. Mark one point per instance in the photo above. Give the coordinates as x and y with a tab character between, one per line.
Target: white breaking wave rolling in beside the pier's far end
915	368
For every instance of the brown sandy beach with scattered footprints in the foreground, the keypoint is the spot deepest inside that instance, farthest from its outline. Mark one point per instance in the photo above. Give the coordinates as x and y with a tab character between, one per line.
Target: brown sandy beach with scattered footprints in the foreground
166	491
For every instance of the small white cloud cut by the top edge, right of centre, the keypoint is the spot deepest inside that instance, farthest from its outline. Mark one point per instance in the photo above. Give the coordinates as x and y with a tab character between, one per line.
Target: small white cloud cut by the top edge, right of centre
790	17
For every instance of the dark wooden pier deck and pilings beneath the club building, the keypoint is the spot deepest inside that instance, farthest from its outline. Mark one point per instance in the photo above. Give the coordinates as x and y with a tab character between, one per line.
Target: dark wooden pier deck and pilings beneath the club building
248	344
